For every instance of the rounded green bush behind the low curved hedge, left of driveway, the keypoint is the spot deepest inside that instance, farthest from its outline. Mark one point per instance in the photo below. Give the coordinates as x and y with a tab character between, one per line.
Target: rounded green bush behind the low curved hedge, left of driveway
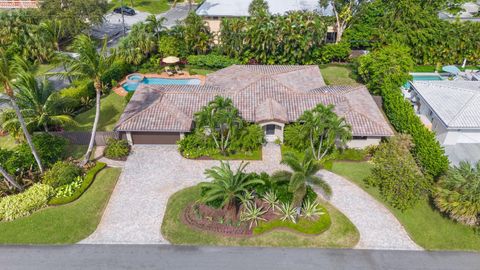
62	173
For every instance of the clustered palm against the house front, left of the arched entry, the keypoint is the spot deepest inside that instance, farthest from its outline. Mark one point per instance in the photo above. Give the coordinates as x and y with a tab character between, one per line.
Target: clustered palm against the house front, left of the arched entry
221	121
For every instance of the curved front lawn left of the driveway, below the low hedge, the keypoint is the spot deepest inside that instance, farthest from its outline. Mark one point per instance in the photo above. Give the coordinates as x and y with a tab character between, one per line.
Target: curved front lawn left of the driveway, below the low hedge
64	224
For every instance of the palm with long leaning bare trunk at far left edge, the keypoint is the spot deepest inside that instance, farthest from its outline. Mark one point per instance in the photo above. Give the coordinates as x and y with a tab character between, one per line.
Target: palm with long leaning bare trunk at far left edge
8	71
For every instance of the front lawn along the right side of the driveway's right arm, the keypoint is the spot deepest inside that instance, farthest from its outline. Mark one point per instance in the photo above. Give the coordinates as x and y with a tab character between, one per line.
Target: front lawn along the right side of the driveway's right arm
427	227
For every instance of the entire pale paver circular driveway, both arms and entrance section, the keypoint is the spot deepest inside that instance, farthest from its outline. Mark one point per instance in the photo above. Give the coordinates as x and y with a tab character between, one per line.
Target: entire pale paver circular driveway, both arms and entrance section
153	173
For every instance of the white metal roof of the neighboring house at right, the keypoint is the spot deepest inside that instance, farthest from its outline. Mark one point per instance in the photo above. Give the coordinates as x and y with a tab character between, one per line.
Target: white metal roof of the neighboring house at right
456	103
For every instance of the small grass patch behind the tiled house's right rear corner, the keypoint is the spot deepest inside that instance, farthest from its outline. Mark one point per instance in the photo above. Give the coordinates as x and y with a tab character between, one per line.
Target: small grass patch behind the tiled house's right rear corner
338	74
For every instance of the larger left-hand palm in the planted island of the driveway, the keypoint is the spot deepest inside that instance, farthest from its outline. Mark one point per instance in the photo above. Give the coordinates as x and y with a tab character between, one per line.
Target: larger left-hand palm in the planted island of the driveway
227	185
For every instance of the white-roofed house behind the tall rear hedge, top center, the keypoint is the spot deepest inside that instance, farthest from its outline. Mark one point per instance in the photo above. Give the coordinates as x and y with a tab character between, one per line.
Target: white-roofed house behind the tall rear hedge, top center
213	11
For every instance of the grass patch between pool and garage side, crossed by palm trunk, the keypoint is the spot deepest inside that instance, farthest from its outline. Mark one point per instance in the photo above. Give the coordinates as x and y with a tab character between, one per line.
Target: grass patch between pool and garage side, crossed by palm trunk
112	107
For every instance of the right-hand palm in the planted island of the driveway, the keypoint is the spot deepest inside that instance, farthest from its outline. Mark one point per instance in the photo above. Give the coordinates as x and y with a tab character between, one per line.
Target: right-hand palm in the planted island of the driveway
304	172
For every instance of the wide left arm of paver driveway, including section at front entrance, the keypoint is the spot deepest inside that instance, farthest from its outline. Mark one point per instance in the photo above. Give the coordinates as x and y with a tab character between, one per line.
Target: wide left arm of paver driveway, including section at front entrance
151	175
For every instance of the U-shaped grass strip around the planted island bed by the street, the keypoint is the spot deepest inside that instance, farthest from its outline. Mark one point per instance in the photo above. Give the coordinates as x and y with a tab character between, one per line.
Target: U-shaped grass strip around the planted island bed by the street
341	234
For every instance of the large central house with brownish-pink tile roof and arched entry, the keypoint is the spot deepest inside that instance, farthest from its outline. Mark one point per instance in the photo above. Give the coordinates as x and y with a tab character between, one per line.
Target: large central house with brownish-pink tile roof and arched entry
271	96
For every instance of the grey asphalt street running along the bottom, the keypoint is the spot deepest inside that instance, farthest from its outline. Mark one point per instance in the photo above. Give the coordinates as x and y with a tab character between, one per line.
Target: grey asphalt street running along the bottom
210	258
